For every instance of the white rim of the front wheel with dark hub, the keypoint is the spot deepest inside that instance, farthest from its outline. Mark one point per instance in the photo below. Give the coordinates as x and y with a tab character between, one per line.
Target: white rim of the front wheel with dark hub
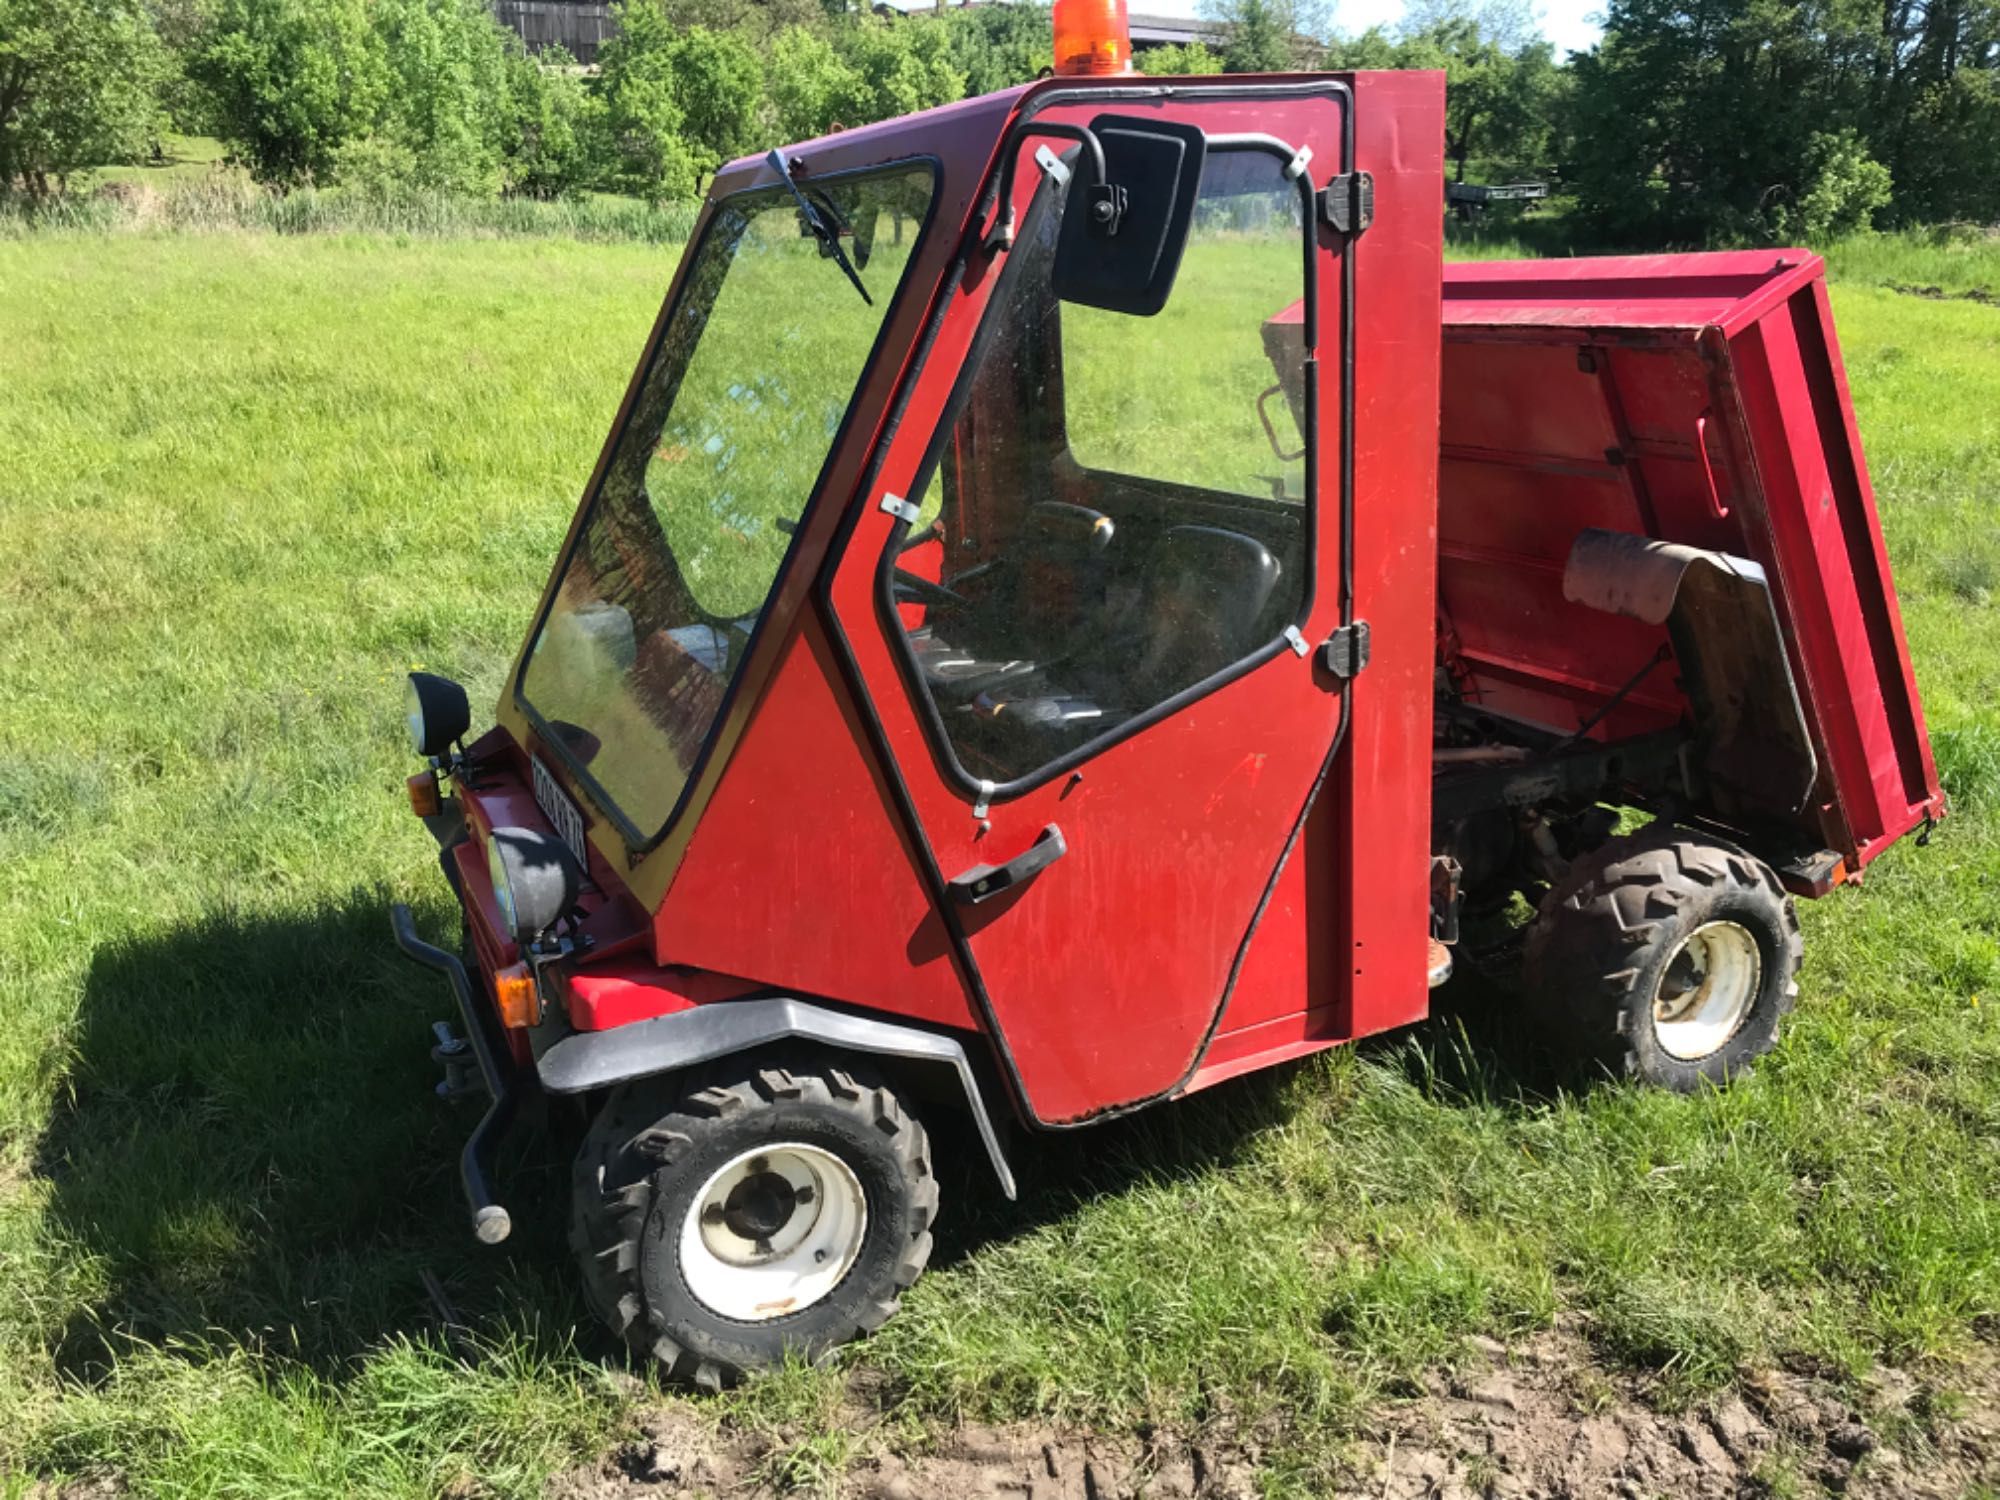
773	1233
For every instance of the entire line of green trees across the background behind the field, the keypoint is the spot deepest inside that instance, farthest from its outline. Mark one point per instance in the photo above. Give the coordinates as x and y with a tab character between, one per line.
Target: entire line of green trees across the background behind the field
1691	123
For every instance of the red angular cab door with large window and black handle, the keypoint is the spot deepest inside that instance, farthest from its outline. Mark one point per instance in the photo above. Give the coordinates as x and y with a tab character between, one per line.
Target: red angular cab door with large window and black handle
1087	585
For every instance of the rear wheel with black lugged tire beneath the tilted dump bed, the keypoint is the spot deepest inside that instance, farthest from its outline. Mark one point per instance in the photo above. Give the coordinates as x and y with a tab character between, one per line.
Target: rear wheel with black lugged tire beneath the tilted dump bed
1667	955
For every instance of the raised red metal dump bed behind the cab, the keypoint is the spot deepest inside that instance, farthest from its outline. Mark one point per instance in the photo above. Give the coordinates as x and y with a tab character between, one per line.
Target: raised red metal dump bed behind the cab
1701	401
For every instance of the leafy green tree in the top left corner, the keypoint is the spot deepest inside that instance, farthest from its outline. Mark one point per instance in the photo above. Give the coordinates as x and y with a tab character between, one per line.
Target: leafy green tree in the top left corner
77	87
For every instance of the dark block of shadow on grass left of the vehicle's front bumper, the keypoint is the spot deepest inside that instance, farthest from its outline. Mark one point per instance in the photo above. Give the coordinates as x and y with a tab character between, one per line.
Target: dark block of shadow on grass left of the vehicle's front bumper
249	1151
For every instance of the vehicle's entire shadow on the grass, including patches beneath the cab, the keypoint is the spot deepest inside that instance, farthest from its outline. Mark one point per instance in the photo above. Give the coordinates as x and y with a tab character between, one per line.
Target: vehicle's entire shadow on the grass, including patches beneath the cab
251	1153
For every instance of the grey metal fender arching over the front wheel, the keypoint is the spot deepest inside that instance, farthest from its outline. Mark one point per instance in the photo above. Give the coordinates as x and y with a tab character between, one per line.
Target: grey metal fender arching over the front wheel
687	1039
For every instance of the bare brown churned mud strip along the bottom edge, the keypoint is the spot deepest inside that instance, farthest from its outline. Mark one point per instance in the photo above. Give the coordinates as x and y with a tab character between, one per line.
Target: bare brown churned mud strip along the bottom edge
1537	1421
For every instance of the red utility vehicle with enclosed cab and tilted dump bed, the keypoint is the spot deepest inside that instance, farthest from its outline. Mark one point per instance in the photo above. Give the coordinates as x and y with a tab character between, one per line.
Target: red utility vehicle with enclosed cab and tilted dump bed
1033	647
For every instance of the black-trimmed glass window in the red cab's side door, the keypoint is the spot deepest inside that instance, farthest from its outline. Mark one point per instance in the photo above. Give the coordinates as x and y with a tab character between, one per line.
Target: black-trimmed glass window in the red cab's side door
1115	513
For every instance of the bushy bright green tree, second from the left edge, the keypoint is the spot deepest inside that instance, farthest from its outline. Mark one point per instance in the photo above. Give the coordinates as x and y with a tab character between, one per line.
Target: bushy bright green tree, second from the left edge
293	81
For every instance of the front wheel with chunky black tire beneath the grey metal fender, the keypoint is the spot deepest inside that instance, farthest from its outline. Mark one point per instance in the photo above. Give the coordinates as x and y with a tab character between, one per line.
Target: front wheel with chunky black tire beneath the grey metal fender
759	1209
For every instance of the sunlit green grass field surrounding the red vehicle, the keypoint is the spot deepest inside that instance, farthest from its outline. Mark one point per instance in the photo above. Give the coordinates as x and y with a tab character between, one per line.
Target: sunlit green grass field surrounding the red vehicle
247	481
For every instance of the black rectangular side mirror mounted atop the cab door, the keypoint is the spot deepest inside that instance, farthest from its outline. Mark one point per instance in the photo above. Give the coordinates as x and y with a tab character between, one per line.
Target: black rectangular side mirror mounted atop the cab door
1121	239
